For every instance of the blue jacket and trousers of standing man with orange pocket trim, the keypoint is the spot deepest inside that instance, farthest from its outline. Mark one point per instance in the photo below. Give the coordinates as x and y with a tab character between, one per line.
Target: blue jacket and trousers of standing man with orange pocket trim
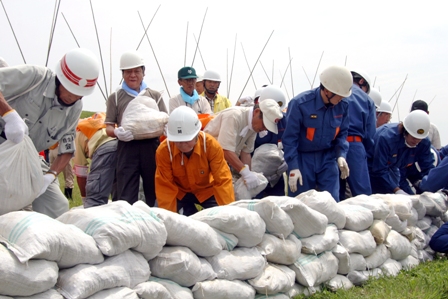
316	135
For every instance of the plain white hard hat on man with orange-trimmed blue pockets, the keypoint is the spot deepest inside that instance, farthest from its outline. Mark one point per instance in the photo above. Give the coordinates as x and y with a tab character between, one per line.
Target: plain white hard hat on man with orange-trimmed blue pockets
338	80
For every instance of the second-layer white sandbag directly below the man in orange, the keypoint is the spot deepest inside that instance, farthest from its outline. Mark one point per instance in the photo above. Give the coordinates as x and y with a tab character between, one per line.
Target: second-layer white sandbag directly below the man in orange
181	265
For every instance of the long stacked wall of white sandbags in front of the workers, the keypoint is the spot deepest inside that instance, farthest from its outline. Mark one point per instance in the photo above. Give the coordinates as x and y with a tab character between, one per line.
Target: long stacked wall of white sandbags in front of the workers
276	247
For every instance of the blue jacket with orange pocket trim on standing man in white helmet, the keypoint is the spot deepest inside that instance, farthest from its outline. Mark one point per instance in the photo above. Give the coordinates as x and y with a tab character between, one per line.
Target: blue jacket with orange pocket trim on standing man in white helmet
314	127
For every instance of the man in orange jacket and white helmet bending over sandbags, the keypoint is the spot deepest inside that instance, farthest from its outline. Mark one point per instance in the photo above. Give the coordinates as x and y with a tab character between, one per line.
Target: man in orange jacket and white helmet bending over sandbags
191	169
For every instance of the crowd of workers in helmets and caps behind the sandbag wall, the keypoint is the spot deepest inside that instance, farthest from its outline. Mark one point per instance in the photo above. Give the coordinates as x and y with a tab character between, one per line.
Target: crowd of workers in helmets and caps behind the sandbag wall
337	137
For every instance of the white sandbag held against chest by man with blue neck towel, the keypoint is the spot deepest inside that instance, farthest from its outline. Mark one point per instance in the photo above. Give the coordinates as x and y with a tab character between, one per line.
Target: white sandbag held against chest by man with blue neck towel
143	118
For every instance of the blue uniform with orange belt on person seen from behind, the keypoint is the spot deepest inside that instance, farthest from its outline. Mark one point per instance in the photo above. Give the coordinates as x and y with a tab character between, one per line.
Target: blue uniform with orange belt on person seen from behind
361	129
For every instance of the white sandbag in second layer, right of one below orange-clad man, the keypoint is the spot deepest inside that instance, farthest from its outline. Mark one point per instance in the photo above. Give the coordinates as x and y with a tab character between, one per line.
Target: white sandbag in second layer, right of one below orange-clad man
241	263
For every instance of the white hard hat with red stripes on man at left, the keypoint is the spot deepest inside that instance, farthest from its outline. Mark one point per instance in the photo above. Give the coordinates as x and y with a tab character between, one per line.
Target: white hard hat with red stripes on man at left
78	71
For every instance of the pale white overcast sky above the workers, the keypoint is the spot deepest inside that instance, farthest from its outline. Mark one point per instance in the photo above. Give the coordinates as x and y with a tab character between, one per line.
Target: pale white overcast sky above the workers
402	45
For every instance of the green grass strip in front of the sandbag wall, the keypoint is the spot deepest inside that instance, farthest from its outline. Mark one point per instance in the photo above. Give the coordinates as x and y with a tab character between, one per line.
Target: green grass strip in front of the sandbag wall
426	281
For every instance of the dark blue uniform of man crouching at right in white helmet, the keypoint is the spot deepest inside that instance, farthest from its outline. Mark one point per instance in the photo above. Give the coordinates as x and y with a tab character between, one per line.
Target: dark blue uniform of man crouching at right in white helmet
390	155
